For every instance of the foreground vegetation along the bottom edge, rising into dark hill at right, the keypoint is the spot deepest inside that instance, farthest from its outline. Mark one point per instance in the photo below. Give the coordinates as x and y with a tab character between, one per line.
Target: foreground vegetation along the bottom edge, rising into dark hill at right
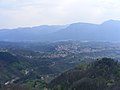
102	74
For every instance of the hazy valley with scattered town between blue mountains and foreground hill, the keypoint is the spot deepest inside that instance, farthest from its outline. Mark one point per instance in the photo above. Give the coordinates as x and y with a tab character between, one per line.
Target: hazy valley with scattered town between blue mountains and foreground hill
33	65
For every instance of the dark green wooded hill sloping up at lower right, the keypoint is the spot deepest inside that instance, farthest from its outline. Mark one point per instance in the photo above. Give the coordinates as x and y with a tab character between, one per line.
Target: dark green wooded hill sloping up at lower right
103	74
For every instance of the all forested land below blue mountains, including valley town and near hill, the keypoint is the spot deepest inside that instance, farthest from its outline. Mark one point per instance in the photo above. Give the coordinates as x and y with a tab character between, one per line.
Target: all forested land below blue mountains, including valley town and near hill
59	65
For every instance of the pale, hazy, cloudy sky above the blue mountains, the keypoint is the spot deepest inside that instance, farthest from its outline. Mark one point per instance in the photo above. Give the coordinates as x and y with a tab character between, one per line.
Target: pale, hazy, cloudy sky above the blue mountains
17	13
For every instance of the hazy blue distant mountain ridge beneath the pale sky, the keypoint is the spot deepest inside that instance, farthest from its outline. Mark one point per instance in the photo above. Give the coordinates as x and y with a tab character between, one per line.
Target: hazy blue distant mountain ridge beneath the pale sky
107	31
